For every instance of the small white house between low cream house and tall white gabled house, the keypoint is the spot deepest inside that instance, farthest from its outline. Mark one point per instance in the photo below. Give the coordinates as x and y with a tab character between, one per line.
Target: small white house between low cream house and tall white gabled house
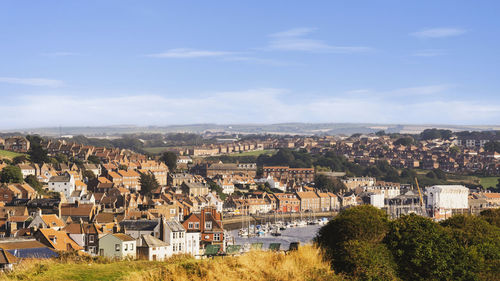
153	249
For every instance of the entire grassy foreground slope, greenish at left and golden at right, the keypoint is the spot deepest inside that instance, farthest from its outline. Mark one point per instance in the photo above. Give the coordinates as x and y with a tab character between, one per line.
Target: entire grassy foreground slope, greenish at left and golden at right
305	264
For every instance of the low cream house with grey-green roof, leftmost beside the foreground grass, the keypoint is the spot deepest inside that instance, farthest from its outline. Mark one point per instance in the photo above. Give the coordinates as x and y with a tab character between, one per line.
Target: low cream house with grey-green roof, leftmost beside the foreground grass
117	245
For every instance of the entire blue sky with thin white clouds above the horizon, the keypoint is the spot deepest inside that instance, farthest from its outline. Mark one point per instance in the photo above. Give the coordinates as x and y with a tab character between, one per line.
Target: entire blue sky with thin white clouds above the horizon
95	63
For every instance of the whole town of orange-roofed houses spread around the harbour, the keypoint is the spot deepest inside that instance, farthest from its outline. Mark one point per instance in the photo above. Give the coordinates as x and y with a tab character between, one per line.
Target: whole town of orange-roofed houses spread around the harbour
60	195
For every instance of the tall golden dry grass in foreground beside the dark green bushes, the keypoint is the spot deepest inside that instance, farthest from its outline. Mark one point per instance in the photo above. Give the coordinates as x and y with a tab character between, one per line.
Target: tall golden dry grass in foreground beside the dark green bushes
305	264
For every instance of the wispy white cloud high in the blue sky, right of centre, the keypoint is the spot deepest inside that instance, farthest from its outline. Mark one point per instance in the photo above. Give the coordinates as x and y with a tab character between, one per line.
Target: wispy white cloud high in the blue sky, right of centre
294	40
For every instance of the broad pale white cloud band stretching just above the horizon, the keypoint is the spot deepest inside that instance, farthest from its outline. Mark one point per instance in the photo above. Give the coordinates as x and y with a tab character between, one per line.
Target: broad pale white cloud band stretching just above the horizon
247	106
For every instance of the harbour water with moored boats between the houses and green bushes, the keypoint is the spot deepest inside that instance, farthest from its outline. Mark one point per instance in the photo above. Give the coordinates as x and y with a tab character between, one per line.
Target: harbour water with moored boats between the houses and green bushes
303	234
